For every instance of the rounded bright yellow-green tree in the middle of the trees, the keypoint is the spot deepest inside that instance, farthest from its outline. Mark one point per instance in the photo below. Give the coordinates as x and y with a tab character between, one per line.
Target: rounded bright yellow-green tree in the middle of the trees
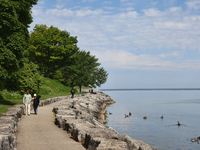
51	48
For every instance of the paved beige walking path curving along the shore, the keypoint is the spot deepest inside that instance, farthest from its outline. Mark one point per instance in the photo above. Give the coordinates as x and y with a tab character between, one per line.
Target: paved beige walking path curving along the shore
39	132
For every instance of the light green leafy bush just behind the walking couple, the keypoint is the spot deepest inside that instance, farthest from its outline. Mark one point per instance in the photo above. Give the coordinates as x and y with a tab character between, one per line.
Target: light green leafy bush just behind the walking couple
27	78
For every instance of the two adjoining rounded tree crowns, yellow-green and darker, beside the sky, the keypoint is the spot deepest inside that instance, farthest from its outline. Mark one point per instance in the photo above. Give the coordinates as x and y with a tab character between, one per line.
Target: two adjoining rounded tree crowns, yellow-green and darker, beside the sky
58	57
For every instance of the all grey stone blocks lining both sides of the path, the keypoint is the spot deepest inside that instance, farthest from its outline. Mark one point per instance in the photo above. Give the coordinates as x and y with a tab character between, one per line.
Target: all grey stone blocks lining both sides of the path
82	117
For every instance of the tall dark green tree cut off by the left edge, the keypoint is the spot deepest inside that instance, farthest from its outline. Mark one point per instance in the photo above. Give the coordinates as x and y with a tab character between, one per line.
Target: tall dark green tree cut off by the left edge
15	16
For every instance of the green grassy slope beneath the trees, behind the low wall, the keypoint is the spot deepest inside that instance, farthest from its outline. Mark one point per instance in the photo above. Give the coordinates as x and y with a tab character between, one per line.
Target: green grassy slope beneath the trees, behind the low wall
50	88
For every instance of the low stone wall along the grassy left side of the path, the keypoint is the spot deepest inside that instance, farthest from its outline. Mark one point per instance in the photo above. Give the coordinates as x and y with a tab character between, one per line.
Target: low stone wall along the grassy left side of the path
8	122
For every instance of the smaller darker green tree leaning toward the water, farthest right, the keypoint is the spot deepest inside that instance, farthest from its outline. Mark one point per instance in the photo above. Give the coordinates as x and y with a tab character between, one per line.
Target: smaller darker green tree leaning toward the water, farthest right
84	71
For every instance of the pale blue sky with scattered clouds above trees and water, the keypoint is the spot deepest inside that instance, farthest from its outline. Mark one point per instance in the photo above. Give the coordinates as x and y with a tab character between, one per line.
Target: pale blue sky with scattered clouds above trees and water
140	43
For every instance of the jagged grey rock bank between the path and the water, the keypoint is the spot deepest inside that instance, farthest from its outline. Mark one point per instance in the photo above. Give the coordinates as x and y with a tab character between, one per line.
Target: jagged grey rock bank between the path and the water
83	118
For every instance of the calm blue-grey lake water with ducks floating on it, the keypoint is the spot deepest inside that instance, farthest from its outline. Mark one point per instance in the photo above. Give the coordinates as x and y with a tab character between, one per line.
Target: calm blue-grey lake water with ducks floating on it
164	134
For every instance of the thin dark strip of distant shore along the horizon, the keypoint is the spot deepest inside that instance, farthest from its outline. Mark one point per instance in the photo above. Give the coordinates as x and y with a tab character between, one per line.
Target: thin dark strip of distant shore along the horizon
152	89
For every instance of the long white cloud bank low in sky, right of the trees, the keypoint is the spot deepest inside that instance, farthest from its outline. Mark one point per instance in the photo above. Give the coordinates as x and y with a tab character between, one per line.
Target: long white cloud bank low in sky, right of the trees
126	60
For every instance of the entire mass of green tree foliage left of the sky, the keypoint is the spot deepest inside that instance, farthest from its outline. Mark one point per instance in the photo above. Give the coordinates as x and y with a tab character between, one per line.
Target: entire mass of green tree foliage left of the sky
46	51
